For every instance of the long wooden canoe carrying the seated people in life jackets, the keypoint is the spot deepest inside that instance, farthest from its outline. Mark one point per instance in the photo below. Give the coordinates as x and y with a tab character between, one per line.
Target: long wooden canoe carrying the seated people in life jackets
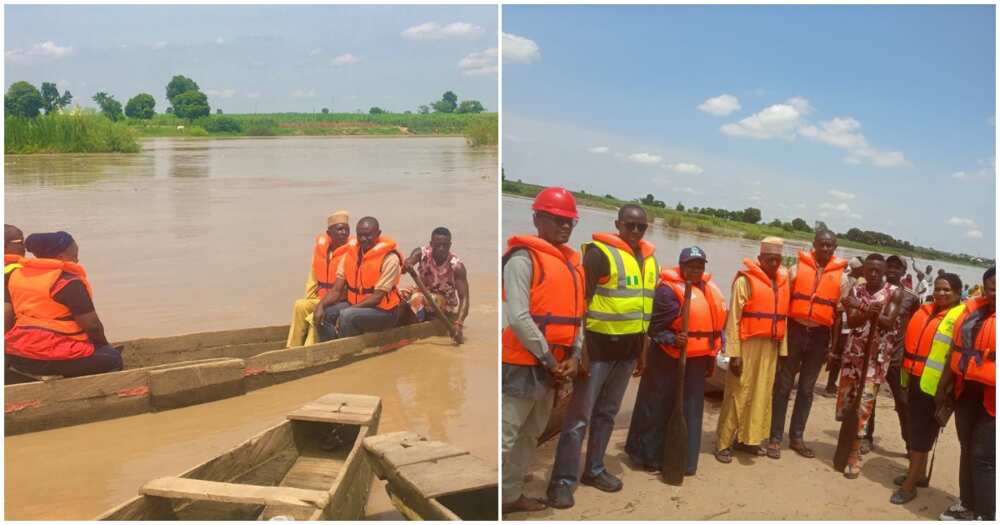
172	372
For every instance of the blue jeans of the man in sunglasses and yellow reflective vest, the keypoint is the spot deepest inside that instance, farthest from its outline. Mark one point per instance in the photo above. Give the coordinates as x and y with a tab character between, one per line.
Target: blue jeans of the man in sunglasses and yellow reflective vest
595	402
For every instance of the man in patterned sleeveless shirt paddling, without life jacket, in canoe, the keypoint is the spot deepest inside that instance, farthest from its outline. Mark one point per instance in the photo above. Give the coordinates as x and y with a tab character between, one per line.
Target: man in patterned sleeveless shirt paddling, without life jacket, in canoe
443	275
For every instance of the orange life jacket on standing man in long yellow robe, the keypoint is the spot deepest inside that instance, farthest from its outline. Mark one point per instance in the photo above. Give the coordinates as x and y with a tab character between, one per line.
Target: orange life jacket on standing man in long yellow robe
766	312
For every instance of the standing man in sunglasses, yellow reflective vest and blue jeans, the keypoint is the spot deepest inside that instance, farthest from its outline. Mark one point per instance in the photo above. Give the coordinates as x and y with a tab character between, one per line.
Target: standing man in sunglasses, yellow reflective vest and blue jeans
620	278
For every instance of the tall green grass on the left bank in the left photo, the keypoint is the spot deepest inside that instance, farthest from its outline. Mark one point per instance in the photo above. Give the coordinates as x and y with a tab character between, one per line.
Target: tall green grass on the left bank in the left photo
83	133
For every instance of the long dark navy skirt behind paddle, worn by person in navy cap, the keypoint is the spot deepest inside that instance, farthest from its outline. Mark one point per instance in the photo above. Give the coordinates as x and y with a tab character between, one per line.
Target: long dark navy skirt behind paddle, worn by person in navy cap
654	404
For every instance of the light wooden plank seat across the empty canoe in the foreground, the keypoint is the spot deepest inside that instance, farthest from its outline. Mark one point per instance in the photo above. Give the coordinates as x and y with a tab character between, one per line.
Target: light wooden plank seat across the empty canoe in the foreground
201	490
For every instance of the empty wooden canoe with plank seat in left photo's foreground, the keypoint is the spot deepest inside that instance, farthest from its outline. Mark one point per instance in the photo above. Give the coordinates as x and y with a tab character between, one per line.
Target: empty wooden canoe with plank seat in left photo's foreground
293	470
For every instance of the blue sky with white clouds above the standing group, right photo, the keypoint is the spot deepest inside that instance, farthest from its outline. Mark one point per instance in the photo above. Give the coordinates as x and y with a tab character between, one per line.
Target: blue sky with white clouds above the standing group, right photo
878	117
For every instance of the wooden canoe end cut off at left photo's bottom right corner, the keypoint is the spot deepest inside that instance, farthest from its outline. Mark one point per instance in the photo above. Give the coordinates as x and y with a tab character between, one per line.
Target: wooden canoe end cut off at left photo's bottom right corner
432	480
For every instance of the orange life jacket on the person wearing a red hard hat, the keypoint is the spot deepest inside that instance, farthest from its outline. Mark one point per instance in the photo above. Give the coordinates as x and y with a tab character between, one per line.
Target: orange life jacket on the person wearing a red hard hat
556	301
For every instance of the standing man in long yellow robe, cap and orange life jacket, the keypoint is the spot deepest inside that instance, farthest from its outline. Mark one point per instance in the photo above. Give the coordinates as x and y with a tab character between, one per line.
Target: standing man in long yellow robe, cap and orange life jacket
755	338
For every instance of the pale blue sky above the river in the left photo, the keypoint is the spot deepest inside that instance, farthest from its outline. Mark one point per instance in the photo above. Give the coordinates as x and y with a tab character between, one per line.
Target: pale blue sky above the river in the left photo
263	58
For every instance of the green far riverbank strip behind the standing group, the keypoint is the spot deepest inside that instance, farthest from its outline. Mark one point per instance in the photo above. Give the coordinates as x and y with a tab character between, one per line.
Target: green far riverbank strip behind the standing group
720	222
